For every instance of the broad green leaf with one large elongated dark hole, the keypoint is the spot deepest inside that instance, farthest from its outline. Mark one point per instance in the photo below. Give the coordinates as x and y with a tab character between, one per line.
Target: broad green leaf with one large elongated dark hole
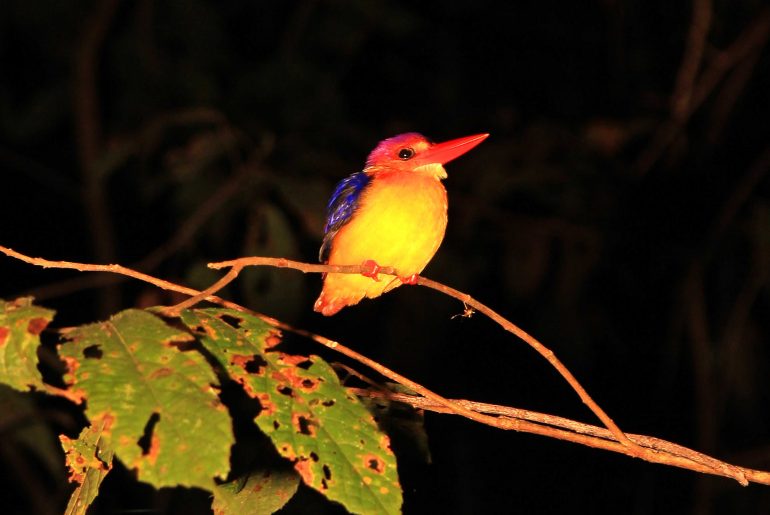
166	419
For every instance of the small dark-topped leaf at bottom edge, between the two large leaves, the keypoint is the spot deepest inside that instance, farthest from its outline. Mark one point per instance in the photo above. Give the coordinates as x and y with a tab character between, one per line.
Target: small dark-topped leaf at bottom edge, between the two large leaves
259	493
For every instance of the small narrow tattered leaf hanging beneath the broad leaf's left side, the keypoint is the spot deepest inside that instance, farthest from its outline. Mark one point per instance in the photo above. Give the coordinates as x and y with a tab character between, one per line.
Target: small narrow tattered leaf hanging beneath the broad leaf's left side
89	459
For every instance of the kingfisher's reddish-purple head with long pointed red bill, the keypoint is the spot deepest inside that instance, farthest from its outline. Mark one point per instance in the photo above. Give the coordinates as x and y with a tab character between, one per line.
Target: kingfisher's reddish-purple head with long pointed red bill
413	152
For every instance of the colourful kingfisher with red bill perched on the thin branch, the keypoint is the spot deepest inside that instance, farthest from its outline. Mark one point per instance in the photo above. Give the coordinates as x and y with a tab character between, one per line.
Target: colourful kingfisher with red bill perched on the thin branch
393	213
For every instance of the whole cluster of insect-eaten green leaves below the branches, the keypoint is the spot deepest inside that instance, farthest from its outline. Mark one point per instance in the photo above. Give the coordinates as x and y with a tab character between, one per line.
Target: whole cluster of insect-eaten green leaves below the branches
150	392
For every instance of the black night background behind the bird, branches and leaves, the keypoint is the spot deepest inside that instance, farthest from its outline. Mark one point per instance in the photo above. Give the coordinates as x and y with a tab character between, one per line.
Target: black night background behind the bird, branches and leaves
619	211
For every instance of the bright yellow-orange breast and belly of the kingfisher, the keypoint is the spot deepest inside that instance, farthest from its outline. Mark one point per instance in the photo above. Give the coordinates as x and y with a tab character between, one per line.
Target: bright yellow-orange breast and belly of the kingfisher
400	222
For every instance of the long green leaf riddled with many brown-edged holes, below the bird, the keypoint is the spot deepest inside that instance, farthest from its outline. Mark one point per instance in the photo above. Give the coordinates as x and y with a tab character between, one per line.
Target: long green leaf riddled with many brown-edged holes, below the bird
325	431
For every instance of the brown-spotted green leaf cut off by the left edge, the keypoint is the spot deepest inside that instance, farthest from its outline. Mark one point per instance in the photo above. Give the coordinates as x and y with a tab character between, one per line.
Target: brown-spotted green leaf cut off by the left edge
20	326
